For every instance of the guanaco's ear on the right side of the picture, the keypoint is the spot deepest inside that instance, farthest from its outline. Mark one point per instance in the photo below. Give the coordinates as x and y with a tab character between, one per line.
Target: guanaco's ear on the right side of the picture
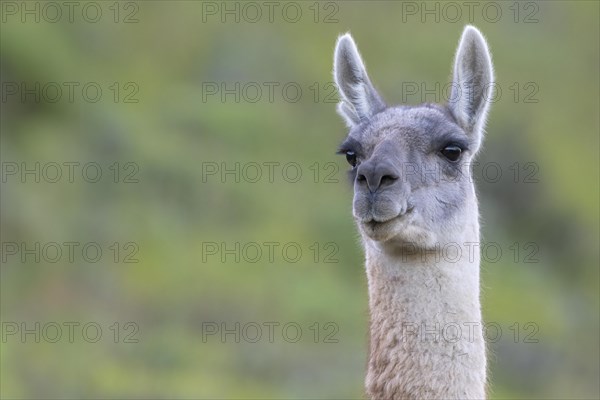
472	84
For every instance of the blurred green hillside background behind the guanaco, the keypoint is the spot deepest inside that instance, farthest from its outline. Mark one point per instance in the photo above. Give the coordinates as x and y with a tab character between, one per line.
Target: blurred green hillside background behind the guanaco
158	64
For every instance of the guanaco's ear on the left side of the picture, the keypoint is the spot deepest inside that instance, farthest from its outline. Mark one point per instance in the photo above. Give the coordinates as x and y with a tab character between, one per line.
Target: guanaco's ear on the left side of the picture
358	98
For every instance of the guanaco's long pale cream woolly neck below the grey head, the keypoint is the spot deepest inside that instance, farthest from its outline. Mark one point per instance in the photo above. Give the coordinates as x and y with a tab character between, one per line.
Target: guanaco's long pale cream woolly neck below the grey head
426	333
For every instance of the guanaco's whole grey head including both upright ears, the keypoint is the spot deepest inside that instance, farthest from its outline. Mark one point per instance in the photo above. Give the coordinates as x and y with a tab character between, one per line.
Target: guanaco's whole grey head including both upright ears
405	189
